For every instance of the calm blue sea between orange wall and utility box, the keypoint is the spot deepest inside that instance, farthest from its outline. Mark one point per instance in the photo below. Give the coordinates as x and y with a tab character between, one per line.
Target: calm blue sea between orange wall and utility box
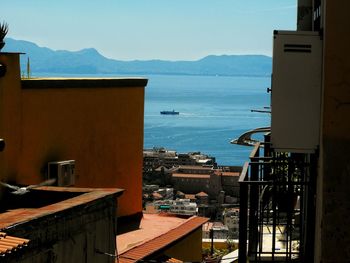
213	111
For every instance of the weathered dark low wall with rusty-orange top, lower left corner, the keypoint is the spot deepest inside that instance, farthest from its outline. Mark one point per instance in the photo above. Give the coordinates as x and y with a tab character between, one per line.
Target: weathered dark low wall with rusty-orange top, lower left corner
71	230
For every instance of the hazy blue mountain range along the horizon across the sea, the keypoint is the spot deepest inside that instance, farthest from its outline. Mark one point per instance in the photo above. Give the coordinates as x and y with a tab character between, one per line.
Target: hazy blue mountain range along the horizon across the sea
90	61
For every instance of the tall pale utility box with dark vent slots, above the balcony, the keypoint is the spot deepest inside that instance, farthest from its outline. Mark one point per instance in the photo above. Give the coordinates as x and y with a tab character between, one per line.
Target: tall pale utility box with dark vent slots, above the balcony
296	91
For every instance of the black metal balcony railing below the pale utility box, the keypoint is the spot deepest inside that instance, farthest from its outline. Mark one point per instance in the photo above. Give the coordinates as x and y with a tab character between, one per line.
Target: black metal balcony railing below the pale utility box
276	207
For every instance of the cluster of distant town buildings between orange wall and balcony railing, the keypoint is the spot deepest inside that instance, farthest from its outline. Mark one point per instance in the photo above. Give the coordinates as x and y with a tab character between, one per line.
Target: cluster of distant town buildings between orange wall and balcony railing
192	184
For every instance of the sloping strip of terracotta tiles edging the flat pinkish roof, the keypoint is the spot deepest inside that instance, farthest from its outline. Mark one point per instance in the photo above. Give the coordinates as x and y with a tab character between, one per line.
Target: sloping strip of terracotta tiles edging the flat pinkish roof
160	242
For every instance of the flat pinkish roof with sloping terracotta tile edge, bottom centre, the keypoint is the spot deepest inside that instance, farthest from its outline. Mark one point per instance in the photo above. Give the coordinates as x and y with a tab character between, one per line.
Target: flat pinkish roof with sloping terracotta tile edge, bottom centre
156	232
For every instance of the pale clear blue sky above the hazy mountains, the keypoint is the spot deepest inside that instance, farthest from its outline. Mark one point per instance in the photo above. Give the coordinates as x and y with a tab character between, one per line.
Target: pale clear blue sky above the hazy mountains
151	29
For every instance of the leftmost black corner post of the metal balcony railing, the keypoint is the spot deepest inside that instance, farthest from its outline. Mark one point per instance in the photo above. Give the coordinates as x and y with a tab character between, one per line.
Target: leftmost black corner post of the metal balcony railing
243	215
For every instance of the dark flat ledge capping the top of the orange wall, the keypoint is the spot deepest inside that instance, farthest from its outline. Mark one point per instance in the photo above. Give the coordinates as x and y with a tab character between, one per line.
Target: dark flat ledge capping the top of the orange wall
53	83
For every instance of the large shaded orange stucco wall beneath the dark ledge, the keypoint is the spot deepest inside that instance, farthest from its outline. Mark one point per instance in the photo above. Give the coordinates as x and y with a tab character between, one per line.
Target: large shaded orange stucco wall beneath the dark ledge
99	126
